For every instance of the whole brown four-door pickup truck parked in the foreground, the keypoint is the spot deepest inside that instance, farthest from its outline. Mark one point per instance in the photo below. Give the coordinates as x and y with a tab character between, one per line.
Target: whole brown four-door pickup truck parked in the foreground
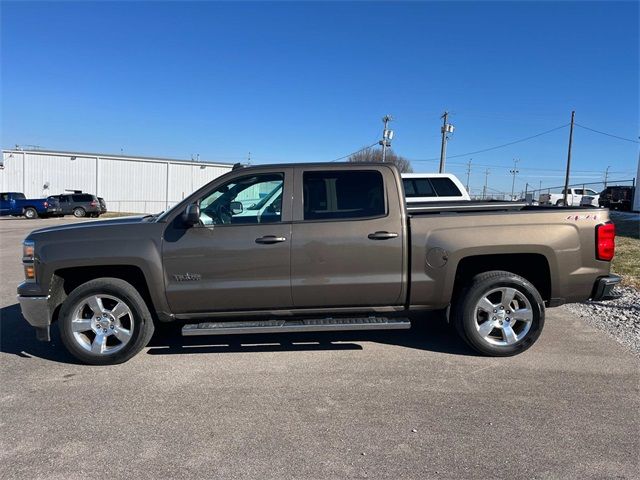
334	247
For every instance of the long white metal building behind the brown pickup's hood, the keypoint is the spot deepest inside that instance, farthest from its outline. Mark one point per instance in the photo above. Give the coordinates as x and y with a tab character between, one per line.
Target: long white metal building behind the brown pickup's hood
128	184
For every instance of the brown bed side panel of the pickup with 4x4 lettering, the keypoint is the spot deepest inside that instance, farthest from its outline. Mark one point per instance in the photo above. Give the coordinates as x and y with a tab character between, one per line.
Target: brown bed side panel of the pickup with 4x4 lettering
566	238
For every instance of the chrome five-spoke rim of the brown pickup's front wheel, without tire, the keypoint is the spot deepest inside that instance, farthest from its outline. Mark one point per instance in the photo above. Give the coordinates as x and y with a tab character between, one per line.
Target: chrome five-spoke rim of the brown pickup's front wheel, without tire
102	324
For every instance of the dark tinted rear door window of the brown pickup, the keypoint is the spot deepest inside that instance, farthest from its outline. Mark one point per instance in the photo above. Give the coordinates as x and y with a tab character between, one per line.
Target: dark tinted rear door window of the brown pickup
330	195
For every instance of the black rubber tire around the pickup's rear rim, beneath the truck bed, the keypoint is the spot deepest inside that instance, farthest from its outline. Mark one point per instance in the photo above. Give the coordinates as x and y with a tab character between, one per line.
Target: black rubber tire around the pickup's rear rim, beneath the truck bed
464	312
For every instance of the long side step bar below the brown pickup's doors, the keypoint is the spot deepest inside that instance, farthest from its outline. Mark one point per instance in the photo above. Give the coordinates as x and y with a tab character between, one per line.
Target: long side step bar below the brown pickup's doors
306	325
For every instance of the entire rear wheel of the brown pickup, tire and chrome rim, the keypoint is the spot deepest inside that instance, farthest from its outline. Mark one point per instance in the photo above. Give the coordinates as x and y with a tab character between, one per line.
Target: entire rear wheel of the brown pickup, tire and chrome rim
499	314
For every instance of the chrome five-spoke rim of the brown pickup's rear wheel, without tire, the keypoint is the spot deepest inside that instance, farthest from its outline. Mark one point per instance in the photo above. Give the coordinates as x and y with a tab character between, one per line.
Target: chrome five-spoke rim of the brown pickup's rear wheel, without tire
503	316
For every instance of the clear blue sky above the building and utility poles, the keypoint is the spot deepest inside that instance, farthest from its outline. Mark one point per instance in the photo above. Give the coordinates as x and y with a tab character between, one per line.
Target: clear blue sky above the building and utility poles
311	81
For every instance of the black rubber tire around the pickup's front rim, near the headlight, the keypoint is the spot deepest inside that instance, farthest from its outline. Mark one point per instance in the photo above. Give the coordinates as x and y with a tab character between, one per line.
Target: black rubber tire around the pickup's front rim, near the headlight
141	319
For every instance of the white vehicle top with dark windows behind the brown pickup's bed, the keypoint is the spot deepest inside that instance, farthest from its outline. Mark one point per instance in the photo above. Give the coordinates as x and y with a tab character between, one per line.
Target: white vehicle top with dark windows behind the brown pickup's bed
433	187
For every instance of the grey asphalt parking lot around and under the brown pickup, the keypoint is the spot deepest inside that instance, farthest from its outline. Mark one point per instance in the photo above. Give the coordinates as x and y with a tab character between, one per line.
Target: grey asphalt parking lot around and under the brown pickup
406	404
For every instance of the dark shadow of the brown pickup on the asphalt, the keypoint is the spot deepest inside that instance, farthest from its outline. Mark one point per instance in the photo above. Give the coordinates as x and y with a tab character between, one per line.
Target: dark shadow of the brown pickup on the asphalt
431	334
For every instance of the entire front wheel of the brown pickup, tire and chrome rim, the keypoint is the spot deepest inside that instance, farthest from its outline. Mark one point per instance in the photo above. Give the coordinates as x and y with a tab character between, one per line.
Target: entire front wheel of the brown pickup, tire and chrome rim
105	321
